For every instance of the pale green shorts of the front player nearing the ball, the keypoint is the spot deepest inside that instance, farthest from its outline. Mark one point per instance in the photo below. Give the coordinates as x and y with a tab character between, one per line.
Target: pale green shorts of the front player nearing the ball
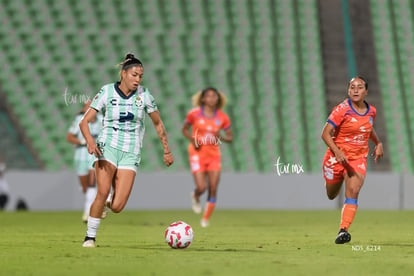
120	159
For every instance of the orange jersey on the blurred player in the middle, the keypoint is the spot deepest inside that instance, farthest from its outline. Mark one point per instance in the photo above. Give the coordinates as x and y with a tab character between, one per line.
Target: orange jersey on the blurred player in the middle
205	131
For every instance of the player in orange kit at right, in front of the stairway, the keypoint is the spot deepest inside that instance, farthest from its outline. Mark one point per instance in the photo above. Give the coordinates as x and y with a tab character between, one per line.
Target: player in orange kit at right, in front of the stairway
346	133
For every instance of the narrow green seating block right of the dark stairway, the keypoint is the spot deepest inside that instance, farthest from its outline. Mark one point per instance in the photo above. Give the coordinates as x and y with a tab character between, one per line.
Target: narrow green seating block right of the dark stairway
391	89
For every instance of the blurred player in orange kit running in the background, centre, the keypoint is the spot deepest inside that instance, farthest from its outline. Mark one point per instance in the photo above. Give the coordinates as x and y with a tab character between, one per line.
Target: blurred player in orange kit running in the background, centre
206	122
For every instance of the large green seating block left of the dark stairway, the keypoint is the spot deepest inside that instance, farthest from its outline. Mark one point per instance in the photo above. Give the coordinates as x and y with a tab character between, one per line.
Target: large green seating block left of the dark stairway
248	49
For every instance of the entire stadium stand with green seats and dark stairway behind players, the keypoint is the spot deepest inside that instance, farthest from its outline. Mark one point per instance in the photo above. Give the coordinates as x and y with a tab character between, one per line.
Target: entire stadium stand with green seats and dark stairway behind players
284	64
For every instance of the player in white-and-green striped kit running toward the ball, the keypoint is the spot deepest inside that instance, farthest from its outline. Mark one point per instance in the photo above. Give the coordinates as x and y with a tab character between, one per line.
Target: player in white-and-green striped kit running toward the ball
117	152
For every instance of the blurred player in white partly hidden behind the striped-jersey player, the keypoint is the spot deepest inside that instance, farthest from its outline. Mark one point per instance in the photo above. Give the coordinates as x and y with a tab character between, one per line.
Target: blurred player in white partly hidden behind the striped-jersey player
83	161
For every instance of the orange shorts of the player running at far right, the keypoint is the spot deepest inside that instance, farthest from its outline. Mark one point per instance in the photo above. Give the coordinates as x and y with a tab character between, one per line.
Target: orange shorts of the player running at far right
334	172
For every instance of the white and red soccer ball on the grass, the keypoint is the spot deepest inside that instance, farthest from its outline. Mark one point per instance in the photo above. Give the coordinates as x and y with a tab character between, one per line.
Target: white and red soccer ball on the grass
179	235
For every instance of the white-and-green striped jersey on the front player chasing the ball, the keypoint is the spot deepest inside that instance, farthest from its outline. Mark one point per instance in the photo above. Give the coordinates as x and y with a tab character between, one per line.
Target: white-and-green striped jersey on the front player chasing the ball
123	123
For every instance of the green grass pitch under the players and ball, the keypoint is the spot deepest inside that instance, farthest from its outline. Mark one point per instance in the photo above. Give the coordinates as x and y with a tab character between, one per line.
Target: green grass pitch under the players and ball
236	243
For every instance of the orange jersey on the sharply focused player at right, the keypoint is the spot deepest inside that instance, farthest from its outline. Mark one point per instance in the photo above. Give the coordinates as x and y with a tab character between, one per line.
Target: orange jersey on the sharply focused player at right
352	129
